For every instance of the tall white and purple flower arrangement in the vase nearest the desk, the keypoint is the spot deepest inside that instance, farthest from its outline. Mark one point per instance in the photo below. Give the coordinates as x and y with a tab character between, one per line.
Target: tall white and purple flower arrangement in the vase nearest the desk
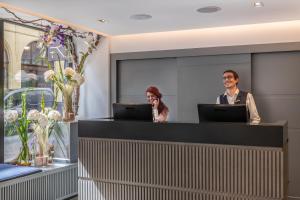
68	79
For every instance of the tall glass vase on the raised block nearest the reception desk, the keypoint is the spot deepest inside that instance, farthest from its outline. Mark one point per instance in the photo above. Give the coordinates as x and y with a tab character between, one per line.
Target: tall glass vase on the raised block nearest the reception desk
68	113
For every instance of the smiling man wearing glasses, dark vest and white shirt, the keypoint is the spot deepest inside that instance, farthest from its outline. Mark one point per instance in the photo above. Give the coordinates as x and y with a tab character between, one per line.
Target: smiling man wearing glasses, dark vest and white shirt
233	95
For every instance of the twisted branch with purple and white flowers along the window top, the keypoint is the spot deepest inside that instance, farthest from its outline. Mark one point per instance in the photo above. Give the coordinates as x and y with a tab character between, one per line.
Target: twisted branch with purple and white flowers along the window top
56	34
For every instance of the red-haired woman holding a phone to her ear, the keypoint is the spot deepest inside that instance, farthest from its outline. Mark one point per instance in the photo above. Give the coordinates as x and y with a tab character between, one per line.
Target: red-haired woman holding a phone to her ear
160	110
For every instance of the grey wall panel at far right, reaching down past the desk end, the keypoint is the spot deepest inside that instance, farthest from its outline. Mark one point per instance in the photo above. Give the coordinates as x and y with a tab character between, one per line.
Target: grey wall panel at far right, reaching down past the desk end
276	85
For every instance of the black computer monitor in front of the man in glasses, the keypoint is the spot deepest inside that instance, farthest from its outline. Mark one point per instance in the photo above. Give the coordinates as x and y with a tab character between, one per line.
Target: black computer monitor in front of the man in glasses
222	113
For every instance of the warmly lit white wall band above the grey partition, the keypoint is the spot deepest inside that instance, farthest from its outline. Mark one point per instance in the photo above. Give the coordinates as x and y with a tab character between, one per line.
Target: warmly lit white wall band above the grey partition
279	32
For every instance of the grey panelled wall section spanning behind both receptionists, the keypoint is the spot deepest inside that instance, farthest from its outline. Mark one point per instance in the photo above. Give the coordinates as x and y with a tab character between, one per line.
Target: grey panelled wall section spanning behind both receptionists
183	81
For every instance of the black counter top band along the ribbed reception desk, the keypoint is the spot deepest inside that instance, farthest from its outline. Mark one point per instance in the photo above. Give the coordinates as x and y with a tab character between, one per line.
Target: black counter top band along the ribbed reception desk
268	135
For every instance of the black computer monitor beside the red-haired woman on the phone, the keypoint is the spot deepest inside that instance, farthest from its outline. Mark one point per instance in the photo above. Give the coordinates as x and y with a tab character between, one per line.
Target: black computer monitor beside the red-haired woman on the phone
140	112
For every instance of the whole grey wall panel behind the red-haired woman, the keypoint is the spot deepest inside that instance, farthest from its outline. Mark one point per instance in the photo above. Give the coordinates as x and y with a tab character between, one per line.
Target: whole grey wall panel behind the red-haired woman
134	76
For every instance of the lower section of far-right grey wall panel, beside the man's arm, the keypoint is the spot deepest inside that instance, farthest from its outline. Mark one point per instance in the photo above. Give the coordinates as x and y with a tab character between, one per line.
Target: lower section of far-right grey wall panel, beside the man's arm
279	107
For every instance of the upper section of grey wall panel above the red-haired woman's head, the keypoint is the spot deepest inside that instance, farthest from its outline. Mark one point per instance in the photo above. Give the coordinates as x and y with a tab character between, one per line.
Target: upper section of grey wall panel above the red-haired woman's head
134	76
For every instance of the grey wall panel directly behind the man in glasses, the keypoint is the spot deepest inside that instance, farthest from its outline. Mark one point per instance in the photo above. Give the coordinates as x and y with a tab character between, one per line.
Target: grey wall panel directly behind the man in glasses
200	81
